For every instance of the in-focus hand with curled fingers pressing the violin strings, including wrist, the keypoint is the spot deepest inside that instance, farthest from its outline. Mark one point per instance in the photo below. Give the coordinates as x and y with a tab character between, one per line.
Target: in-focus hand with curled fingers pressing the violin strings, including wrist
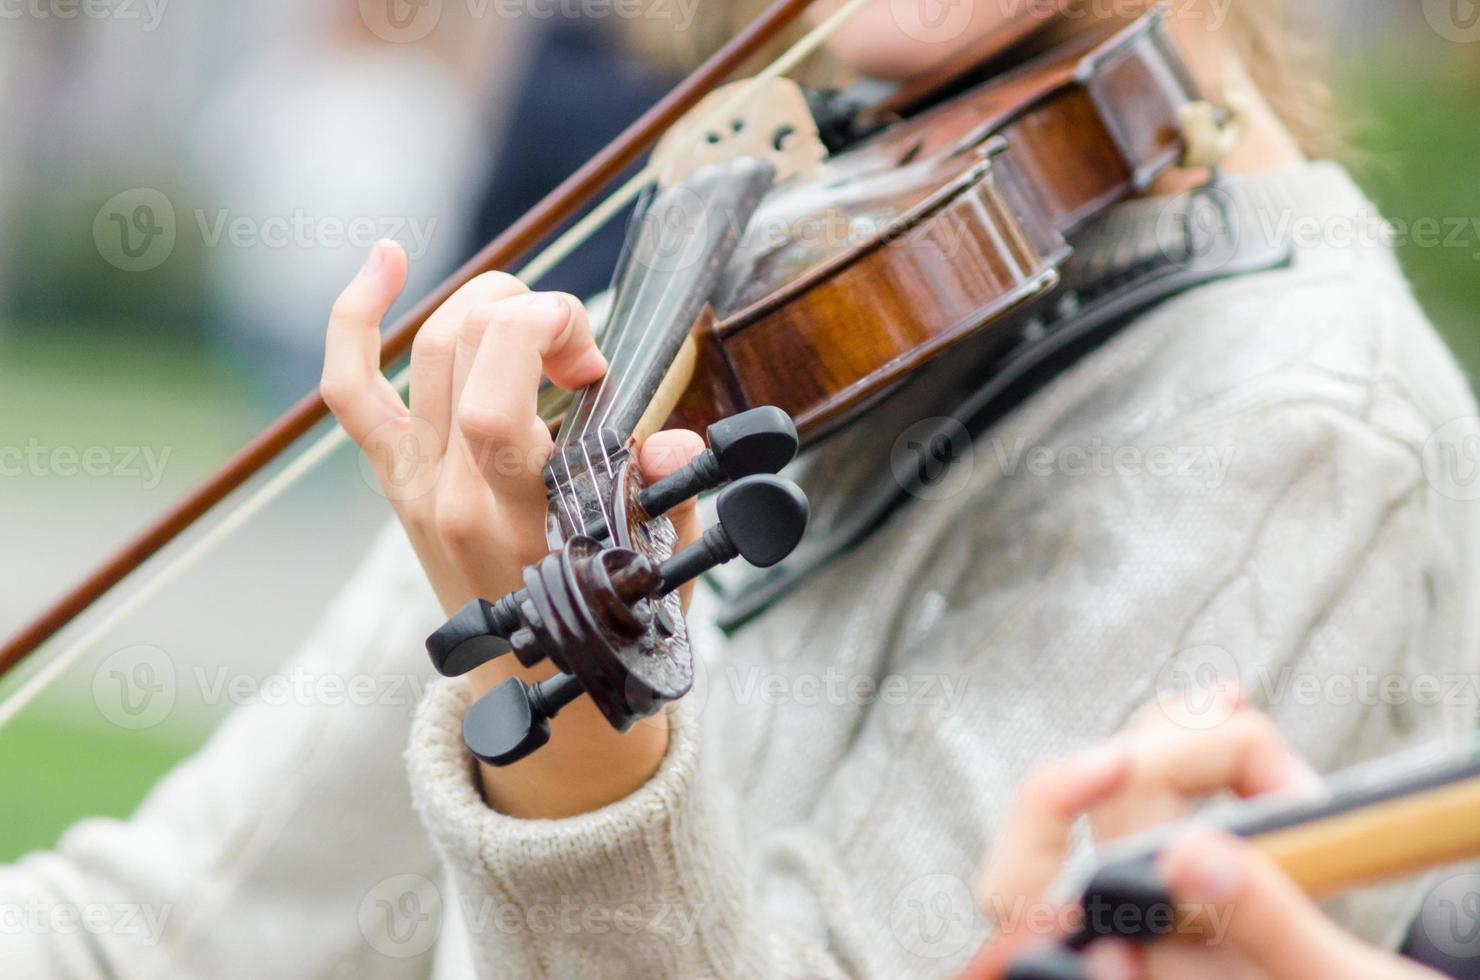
474	504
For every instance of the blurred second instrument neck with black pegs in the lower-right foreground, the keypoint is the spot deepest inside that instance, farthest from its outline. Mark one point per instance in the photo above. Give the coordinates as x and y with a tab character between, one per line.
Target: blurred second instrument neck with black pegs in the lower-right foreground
1376	822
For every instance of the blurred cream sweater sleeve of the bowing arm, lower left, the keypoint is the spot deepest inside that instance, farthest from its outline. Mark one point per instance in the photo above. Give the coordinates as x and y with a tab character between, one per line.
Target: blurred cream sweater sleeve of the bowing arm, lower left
273	850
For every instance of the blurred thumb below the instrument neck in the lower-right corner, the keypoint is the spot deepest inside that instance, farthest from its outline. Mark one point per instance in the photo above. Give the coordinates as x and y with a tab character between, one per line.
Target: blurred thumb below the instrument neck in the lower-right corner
1241	898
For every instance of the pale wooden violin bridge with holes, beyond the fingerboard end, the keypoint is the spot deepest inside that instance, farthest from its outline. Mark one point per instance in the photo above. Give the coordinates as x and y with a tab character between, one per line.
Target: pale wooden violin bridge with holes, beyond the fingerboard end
757	118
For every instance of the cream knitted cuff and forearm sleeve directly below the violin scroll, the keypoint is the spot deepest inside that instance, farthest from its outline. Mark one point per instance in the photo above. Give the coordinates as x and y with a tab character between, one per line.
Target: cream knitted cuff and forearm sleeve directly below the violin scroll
653	885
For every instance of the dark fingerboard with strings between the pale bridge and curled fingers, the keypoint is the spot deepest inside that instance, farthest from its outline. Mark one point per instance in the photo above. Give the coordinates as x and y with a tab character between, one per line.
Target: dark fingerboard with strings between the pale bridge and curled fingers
677	249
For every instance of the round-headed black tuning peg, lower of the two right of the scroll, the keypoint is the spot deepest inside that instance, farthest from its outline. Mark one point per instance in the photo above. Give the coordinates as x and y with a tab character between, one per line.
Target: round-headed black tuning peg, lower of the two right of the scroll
761	520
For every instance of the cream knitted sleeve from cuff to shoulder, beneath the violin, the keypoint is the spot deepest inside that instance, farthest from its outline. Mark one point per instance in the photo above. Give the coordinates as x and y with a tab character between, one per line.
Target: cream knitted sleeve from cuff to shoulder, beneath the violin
1234	491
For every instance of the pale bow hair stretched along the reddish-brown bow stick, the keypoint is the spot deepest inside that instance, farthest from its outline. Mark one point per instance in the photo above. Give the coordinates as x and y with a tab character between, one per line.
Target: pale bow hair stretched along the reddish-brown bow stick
326	445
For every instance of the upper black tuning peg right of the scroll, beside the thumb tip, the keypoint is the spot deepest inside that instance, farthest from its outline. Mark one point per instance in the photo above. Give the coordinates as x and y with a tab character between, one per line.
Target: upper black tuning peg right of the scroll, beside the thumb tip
757	442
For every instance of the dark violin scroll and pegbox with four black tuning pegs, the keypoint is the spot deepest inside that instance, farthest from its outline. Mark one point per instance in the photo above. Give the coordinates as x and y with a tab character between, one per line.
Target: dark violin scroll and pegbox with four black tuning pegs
606	612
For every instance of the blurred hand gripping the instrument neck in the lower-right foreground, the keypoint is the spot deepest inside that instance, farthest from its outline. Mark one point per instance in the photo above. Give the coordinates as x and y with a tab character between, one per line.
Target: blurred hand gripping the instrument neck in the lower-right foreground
1149	775
